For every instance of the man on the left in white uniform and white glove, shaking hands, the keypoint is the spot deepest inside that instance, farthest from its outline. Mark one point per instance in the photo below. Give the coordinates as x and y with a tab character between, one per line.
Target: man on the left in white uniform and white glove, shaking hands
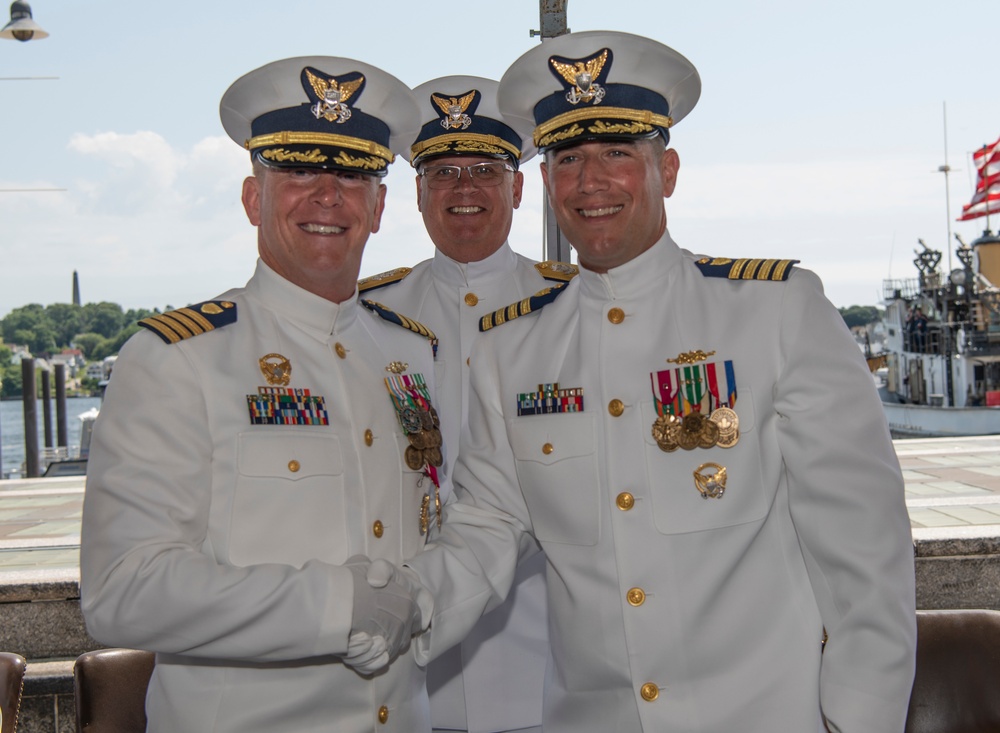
252	446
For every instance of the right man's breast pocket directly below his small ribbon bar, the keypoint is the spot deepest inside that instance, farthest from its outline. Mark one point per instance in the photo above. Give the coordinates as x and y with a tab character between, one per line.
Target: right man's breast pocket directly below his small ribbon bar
556	465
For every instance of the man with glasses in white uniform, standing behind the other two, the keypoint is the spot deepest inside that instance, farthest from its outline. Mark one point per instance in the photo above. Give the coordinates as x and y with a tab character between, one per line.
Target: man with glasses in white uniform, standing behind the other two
468	185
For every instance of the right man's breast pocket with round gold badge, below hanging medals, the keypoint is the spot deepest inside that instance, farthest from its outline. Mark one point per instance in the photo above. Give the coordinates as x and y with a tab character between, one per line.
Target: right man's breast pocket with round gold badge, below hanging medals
678	505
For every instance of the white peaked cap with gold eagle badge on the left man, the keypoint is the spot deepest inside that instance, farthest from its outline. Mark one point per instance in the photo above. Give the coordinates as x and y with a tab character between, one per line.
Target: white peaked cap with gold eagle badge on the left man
321	112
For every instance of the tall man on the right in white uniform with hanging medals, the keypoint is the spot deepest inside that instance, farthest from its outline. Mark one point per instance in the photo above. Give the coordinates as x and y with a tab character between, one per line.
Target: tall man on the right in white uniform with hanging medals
695	442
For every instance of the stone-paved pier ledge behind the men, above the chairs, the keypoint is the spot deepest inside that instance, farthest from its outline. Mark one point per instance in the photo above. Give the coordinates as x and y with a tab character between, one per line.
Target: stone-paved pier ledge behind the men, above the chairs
952	494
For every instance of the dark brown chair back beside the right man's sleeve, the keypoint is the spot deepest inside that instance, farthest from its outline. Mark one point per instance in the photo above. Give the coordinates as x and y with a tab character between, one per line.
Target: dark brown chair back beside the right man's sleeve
957	684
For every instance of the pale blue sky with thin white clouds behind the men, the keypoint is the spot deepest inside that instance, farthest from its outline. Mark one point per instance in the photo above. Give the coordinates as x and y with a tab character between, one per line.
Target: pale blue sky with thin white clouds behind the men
819	134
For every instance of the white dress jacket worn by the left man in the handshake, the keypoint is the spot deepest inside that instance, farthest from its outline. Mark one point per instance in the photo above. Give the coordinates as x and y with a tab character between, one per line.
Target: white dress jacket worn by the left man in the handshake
219	543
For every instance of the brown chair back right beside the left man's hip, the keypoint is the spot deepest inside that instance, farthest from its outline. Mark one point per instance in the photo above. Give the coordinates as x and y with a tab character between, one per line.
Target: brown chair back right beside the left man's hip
110	687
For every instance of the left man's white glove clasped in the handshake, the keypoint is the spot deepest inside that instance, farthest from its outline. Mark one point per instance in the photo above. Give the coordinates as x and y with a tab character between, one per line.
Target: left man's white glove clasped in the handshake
388	611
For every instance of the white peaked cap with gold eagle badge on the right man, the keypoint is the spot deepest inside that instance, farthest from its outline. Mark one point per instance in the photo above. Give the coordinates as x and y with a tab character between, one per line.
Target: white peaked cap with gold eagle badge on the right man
597	85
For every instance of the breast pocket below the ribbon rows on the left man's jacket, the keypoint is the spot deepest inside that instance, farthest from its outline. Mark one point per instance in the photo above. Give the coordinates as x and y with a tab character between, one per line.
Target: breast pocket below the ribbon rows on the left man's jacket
288	506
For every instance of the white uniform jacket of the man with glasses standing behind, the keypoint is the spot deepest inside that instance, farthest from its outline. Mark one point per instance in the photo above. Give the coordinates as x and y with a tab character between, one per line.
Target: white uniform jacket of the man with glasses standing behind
493	680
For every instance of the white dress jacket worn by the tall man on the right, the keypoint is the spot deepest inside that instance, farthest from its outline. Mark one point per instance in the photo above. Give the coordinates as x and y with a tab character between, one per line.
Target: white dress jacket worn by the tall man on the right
670	611
